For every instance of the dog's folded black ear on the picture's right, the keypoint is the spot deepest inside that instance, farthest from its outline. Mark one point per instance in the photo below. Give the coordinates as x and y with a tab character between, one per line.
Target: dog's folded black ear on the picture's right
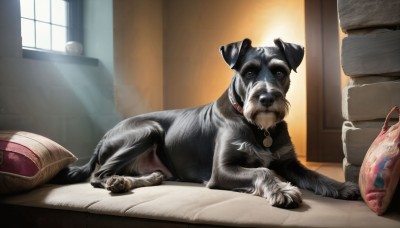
294	53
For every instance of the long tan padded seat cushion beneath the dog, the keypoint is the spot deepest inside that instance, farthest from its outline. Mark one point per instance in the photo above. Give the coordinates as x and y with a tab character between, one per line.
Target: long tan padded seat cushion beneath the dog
194	203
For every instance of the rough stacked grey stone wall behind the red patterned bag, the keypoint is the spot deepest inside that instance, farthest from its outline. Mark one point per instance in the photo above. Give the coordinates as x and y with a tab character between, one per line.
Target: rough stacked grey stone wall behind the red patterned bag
371	58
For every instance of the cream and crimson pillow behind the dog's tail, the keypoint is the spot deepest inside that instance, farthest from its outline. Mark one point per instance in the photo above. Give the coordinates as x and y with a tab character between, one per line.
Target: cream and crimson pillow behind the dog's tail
28	160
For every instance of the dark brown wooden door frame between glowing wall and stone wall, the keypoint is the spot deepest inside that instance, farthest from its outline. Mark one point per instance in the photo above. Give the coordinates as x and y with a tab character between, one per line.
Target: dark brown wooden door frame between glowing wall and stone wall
323	140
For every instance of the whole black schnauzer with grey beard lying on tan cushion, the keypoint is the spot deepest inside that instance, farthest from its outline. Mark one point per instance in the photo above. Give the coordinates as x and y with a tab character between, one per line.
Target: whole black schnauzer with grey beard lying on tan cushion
233	143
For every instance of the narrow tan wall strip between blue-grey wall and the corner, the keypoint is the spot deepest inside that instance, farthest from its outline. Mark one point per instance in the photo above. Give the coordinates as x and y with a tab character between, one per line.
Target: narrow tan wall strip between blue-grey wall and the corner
138	43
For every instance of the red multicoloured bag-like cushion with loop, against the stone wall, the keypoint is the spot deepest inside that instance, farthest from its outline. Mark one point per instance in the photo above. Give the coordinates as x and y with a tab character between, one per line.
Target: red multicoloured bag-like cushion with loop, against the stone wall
380	170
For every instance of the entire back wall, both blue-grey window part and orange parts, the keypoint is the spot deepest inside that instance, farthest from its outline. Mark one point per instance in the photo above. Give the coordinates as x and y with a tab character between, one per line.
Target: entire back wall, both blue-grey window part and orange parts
165	51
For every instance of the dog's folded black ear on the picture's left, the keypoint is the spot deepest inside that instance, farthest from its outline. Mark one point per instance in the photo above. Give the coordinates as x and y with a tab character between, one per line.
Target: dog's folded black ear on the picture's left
234	51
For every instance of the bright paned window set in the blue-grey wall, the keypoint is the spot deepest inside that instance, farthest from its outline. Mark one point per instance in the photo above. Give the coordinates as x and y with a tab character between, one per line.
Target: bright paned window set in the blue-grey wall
49	24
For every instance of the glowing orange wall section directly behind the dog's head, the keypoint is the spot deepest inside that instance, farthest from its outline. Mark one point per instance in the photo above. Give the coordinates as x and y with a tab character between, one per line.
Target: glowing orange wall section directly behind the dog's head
195	73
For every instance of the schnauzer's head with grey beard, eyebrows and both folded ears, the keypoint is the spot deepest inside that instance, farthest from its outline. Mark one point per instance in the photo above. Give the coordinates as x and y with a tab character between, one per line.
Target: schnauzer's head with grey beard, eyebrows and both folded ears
261	78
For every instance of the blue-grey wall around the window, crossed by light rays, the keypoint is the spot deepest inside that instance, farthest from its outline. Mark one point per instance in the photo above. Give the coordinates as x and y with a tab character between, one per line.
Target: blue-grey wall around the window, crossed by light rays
70	103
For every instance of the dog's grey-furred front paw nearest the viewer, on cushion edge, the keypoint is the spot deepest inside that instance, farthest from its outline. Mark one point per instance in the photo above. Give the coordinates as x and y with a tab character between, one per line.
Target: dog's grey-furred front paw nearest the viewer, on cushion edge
285	195
